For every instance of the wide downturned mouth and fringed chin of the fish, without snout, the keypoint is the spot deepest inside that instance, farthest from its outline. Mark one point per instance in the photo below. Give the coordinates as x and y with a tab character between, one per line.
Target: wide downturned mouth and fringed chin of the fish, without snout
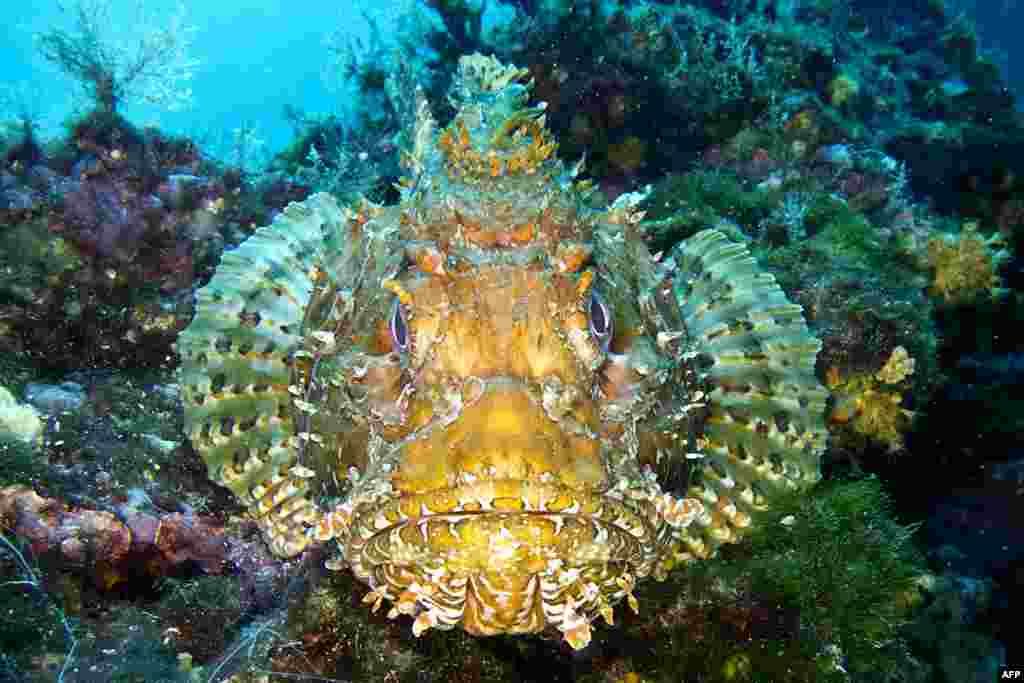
504	557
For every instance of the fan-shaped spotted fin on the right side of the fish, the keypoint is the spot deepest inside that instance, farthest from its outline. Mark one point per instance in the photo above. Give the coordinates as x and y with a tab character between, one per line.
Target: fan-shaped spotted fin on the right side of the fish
754	356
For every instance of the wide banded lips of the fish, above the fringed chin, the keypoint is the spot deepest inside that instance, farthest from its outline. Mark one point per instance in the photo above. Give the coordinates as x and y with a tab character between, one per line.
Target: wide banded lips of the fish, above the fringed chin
589	528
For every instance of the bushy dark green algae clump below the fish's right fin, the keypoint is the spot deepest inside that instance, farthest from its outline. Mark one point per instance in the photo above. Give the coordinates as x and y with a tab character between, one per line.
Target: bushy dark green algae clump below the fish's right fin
847	567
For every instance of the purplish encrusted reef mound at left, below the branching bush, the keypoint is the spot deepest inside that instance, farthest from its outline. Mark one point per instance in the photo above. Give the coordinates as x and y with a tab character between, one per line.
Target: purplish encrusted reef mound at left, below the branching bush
110	231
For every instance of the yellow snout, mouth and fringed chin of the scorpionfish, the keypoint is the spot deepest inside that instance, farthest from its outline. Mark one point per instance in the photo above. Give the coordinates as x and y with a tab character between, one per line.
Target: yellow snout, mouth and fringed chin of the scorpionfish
504	522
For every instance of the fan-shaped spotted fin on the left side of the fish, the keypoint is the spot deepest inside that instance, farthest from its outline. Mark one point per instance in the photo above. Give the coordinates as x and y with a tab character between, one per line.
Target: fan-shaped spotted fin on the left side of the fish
251	335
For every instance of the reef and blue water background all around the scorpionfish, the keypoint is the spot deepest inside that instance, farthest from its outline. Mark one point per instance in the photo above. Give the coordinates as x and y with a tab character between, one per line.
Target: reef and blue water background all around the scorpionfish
867	155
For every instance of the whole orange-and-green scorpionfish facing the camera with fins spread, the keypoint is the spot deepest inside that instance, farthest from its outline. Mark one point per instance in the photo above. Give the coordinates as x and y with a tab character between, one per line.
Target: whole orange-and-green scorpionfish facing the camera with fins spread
492	402
